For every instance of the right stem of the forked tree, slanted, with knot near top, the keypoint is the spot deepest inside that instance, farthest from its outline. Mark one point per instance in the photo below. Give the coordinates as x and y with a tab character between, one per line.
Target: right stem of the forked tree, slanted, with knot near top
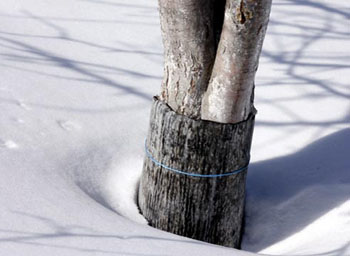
229	97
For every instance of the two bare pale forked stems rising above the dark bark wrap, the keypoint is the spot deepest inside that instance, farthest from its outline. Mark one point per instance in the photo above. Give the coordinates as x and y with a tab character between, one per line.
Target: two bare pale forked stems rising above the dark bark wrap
204	77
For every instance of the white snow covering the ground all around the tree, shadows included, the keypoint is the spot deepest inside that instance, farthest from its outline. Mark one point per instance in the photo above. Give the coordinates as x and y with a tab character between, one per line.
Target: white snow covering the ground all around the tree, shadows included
77	78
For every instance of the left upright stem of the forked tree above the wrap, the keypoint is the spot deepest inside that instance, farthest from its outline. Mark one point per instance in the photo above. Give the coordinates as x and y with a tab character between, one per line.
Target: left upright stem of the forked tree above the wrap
189	51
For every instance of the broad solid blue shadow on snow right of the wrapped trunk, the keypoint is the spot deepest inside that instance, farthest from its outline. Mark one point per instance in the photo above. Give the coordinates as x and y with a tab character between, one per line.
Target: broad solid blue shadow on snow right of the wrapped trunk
286	194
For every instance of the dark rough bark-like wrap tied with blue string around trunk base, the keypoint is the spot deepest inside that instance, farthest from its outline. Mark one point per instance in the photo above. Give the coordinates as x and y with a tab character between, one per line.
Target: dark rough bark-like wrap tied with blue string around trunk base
193	180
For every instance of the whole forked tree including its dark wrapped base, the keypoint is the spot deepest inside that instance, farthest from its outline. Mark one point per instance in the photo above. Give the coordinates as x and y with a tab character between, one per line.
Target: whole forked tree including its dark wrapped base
198	145
